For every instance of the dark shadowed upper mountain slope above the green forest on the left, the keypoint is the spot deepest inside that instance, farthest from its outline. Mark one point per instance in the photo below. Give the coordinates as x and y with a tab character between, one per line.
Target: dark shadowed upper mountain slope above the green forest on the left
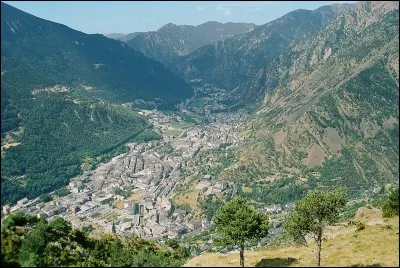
62	54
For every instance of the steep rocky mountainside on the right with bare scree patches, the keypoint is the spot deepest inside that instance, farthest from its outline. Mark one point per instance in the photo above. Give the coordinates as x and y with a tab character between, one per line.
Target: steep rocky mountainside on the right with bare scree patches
333	117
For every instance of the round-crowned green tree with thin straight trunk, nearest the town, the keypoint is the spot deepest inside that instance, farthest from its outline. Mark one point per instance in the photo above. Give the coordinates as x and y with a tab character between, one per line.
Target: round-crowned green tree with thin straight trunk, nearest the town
238	222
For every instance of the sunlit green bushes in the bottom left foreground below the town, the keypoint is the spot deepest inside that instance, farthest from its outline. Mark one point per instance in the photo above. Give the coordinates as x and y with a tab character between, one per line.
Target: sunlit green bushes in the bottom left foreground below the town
28	241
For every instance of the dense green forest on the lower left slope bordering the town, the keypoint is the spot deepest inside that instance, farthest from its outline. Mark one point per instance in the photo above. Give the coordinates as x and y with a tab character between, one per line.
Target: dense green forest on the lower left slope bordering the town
51	153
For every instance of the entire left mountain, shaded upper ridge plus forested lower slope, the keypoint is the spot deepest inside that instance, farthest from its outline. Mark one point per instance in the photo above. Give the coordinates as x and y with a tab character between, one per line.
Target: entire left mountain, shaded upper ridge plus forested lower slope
61	96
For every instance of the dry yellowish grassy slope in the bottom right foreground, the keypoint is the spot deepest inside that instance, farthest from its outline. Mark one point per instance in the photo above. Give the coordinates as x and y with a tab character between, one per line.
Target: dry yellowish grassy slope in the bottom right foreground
376	245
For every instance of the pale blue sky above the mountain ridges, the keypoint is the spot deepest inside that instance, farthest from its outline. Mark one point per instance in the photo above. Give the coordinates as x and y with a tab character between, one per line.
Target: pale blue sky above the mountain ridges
125	17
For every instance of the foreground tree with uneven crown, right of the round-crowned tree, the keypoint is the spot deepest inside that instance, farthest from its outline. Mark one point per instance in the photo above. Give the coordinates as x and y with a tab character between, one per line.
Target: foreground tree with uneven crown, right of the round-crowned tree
312	214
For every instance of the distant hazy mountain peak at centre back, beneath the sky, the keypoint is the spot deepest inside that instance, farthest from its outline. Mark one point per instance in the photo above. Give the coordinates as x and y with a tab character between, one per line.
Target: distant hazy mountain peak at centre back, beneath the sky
171	41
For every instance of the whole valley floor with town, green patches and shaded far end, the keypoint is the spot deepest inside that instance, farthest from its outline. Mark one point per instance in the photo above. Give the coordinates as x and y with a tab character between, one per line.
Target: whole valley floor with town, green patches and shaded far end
170	188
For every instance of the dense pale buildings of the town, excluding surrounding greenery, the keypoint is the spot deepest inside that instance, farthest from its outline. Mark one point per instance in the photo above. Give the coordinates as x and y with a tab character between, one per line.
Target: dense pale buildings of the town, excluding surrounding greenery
131	193
